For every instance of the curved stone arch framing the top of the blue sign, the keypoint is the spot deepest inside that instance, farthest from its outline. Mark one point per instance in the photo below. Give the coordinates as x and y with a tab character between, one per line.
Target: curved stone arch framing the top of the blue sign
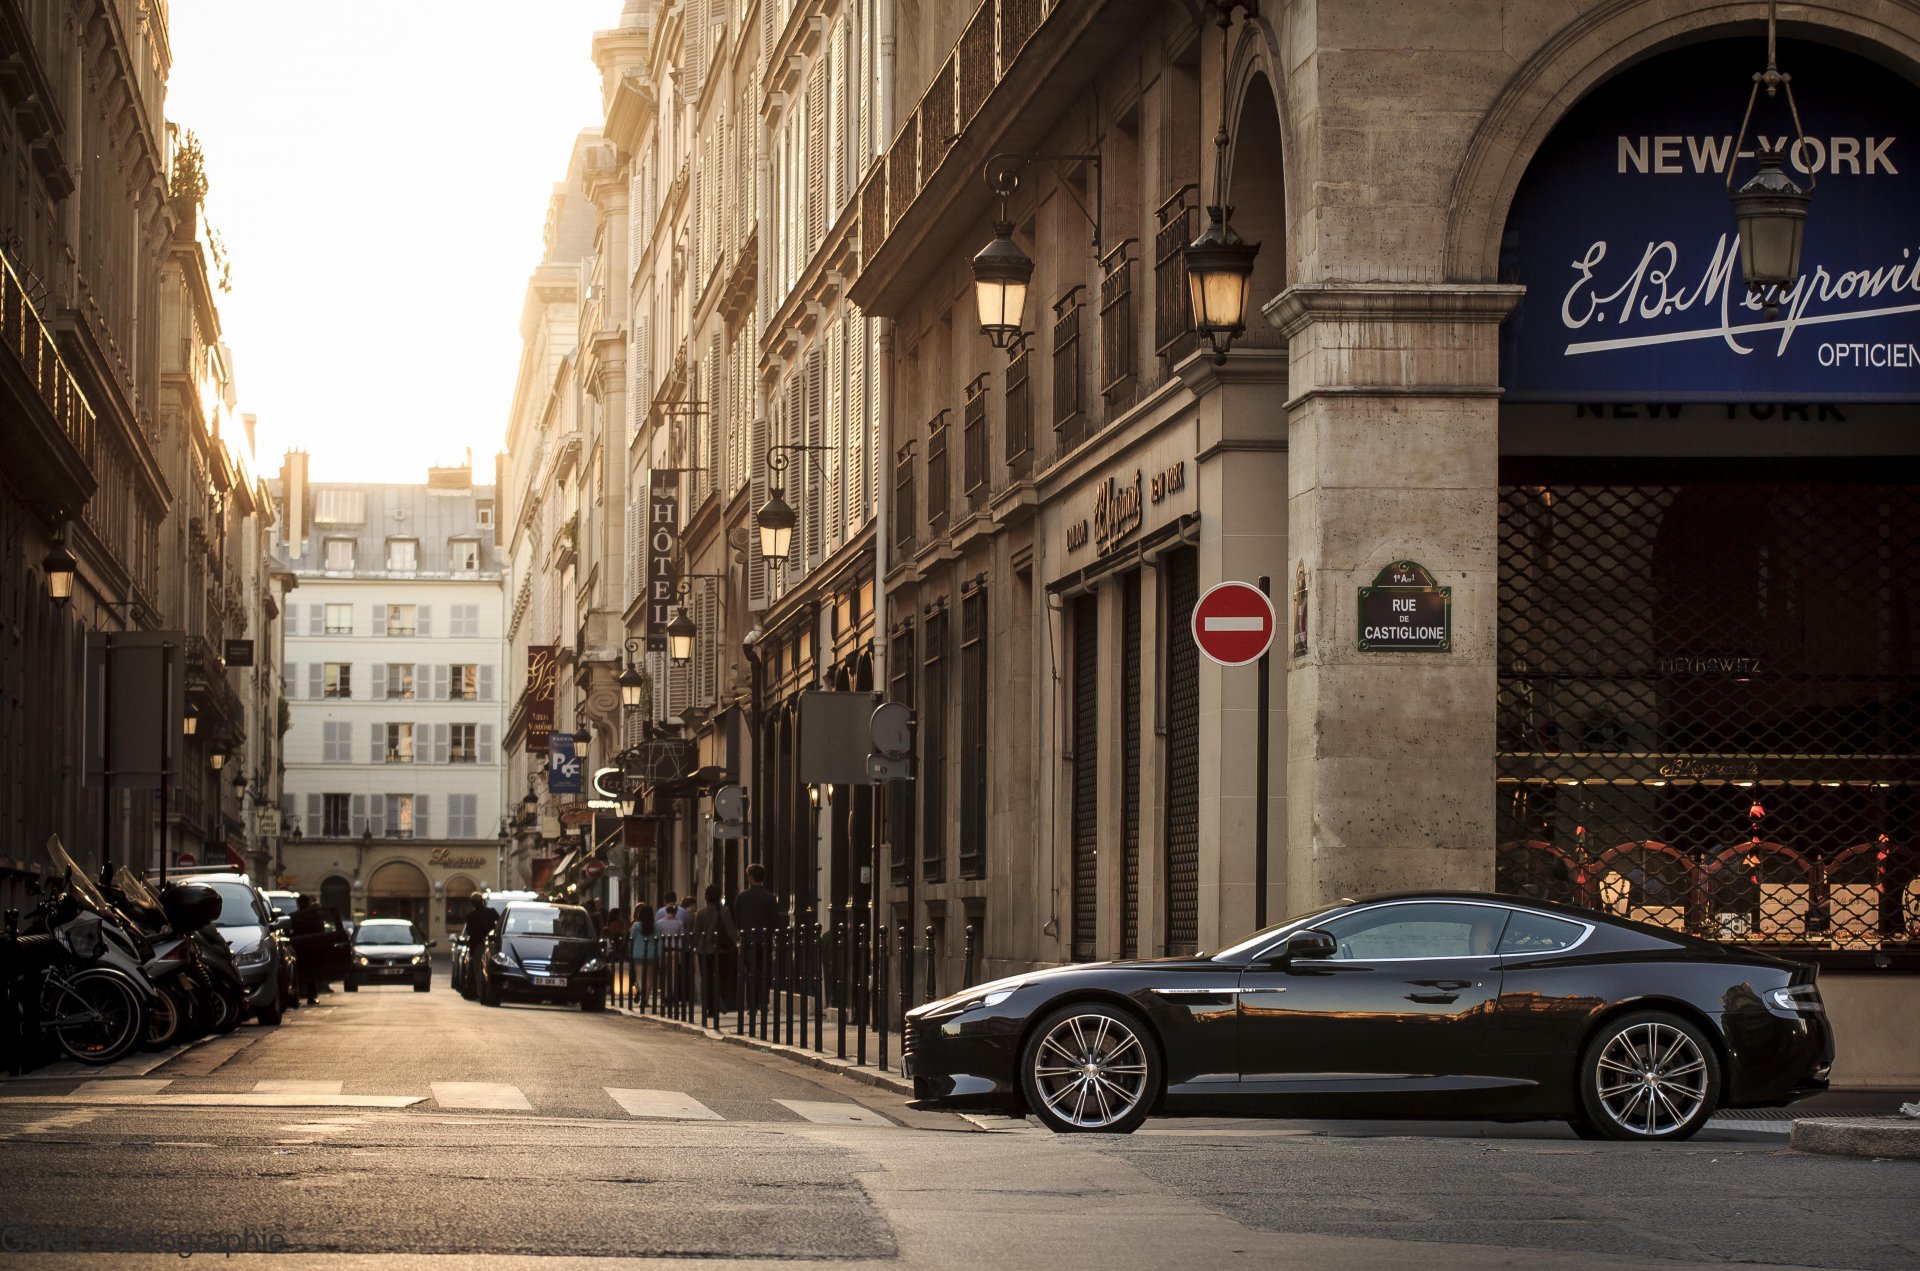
1583	55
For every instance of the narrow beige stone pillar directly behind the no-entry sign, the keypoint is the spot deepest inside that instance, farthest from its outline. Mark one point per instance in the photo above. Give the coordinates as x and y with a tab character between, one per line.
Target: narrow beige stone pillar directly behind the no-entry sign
1241	466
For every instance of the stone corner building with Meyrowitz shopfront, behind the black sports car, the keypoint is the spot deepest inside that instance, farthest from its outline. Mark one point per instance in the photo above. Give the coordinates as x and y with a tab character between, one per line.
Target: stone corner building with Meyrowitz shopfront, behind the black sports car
1652	694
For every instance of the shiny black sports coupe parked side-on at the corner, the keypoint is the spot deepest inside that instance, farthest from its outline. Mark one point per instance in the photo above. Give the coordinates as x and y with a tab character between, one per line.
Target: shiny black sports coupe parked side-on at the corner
1431	1005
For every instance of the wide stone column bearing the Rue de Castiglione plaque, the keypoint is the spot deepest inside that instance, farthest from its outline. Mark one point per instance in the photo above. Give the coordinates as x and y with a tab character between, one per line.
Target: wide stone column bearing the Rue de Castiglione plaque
1395	454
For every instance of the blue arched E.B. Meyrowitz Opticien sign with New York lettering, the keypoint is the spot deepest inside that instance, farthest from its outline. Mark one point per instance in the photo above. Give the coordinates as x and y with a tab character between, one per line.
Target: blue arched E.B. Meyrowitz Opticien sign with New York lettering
1625	239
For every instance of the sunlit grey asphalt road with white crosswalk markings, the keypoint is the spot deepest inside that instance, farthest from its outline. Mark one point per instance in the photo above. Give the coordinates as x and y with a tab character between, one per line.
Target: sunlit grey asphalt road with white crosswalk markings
396	1130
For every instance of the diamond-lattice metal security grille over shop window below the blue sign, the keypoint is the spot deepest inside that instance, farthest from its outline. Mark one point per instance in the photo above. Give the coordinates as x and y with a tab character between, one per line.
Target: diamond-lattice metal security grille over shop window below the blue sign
1710	704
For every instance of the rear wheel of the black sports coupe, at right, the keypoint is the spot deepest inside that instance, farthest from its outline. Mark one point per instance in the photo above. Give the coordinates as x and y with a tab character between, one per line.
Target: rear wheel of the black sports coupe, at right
1648	1078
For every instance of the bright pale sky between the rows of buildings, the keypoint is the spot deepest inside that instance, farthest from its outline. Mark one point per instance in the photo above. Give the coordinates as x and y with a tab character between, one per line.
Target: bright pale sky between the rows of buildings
381	176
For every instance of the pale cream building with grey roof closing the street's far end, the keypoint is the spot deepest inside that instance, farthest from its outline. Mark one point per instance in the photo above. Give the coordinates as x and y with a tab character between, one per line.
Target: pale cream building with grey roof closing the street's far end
395	640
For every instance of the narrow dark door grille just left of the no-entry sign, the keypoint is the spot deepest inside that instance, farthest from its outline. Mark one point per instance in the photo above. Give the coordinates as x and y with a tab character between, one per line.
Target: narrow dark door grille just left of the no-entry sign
1184	754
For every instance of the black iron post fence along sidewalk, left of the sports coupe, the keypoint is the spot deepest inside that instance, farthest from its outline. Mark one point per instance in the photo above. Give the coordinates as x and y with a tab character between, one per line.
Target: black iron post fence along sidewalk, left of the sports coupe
836	988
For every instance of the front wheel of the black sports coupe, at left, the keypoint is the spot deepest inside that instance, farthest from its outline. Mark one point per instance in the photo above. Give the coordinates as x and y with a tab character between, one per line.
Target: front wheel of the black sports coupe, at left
1092	1068
